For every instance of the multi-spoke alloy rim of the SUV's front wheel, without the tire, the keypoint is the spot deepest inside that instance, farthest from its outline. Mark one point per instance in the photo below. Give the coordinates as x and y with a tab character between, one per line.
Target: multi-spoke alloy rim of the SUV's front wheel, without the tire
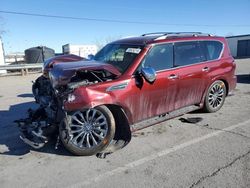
88	128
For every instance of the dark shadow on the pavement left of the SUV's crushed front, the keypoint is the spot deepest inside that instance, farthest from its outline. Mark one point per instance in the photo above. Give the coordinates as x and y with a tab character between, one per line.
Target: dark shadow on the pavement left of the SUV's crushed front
10	143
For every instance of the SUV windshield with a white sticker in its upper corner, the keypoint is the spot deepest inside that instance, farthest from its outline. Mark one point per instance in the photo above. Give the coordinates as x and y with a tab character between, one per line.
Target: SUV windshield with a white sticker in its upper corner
120	56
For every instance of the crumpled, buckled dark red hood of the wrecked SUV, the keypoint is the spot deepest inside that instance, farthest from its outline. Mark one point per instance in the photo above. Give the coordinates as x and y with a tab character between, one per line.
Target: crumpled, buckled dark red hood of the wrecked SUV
63	72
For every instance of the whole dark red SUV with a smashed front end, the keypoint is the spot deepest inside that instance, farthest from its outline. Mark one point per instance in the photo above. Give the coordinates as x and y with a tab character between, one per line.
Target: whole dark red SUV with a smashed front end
128	85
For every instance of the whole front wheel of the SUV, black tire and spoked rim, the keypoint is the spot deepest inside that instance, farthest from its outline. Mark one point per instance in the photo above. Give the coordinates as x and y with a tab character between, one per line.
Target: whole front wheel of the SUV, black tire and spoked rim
82	147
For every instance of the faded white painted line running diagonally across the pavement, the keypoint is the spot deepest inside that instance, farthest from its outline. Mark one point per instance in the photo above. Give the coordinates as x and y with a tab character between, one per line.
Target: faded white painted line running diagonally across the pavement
158	154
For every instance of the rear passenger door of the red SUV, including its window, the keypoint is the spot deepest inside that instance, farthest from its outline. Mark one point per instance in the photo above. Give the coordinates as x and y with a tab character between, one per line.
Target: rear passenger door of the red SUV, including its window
191	68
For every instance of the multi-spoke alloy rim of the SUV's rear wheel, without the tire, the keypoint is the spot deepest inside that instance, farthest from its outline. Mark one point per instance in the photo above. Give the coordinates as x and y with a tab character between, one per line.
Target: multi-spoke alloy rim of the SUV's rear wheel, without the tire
216	95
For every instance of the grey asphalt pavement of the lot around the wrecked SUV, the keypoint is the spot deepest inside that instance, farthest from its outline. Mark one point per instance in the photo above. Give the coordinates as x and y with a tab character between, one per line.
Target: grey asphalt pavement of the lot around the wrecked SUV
214	152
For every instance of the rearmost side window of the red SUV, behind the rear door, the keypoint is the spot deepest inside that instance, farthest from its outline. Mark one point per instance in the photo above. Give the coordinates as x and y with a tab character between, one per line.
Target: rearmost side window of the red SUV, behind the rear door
213	49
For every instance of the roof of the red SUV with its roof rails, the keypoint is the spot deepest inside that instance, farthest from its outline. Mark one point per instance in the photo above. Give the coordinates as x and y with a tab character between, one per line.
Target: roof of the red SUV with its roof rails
162	36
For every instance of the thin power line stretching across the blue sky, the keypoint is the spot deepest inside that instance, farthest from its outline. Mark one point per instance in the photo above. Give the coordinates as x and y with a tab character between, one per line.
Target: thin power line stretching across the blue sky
114	21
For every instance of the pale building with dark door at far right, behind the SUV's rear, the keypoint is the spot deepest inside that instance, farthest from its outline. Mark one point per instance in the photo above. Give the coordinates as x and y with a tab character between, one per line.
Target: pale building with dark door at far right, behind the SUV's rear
239	45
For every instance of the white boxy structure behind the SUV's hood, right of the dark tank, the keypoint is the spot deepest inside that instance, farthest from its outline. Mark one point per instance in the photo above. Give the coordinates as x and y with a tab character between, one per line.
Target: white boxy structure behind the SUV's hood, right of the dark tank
80	50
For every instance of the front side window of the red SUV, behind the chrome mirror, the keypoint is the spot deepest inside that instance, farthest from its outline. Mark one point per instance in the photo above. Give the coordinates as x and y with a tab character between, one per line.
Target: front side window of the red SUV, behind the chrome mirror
160	57
